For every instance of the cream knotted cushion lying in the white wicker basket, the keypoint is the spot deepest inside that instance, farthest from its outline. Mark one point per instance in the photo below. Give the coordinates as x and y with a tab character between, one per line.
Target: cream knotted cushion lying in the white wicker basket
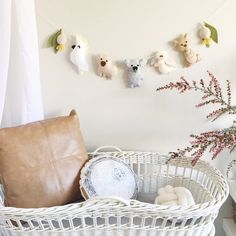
178	196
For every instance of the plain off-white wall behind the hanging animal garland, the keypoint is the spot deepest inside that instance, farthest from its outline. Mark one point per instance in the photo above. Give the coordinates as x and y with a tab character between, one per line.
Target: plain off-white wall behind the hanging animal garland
137	119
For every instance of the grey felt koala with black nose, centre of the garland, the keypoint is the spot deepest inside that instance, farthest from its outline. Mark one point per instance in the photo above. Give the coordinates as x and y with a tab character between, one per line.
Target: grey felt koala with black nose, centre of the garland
135	75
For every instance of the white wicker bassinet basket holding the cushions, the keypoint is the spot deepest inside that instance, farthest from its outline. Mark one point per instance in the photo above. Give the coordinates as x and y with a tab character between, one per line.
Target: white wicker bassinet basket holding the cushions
112	216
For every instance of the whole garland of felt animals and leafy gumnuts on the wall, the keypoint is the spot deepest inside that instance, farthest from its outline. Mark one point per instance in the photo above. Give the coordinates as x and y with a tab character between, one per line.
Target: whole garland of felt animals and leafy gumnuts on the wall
159	60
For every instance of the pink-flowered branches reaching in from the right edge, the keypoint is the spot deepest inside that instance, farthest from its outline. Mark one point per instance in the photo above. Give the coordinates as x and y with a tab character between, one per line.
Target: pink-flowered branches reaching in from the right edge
214	141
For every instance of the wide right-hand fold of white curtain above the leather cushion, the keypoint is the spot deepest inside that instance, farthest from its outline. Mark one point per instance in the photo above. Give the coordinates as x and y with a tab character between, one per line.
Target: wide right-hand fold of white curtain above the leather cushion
23	100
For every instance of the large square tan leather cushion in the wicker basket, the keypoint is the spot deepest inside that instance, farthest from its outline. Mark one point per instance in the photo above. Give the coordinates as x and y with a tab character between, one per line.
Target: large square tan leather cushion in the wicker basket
40	162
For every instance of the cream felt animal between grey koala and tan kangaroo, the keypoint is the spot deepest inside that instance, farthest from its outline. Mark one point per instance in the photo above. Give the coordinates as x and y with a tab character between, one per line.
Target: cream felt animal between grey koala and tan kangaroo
162	62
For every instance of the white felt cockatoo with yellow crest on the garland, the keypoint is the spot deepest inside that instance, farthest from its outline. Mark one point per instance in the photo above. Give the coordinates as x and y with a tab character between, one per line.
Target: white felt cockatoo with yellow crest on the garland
78	54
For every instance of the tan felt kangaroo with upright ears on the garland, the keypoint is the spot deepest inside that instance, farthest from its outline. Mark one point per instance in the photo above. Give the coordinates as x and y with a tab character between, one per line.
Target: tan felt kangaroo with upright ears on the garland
182	44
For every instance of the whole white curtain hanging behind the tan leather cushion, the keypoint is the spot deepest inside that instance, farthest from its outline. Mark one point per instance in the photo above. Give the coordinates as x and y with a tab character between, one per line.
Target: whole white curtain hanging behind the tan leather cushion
20	91
